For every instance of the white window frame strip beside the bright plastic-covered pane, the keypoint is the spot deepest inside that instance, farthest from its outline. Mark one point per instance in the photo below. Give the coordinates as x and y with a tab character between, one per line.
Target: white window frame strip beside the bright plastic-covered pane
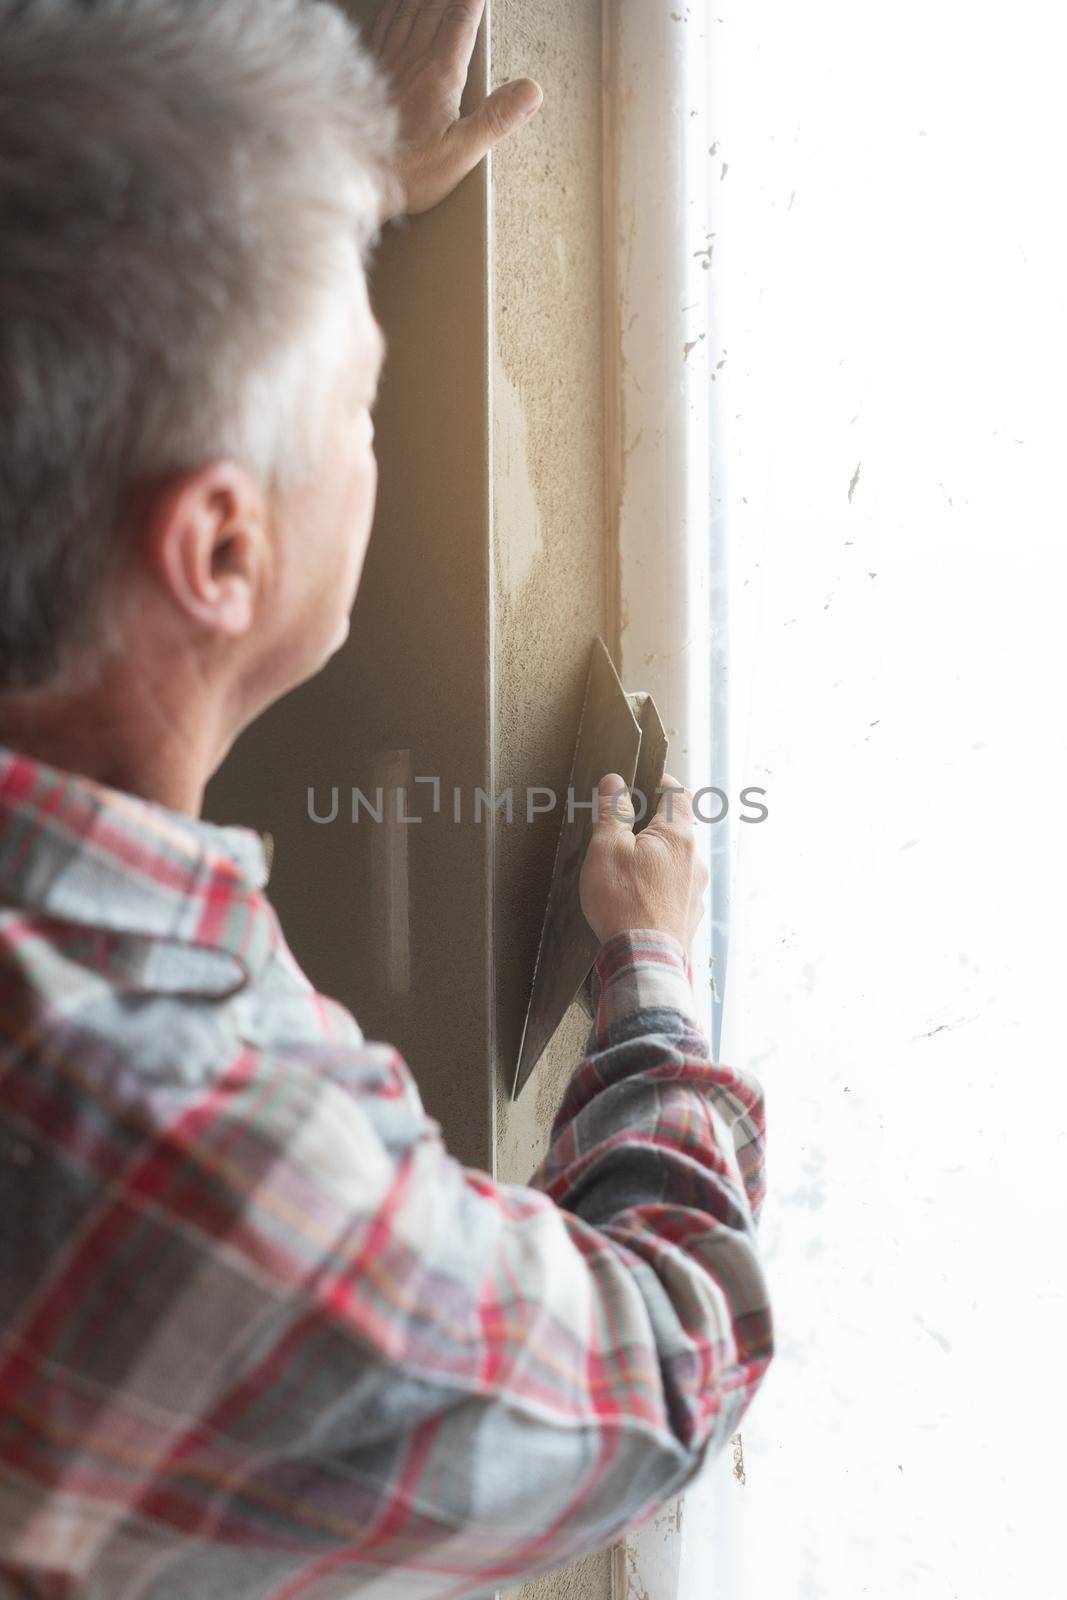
665	481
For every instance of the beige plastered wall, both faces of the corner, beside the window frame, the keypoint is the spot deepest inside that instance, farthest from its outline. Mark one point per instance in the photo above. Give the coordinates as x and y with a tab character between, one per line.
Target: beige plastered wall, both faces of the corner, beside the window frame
484	588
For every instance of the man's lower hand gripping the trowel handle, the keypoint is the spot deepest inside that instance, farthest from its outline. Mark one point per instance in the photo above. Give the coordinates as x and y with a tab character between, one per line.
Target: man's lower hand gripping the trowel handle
653	879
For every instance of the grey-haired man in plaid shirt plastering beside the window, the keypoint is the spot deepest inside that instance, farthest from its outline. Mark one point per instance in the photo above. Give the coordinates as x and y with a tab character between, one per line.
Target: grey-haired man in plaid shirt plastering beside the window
260	1334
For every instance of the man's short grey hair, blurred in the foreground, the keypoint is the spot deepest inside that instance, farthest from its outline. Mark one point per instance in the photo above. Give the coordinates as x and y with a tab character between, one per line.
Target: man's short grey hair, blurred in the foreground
186	188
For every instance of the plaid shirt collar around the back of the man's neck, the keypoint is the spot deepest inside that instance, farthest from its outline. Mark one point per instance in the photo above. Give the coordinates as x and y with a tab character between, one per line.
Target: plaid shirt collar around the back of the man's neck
89	855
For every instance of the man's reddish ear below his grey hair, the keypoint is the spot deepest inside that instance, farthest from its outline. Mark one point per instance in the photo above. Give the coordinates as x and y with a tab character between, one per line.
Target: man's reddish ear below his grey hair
207	543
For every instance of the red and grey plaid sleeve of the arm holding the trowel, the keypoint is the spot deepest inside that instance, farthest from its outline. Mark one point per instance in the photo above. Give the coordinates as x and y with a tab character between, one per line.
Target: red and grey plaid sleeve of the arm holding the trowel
457	1382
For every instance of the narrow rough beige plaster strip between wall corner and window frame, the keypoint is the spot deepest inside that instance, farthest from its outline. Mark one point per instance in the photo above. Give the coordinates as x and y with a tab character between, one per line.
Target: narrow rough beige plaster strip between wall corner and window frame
549	575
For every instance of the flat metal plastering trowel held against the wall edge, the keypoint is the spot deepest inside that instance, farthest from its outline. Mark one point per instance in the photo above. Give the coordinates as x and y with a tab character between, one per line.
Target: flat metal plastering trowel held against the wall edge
617	734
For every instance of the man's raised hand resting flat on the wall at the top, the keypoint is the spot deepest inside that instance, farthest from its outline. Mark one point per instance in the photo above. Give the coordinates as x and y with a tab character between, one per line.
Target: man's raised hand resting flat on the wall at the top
425	47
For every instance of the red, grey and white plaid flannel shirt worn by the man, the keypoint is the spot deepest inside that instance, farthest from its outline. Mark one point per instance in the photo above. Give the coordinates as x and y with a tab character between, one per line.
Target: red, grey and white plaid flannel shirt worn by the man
260	1334
